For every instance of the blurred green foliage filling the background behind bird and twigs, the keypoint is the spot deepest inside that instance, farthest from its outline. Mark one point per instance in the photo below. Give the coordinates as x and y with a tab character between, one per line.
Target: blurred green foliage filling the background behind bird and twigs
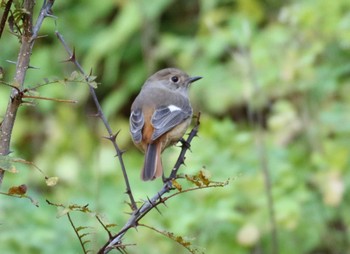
285	60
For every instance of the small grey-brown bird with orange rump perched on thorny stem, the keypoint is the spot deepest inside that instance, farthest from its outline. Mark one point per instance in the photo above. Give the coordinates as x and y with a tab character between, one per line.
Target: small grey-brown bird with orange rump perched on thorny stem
160	116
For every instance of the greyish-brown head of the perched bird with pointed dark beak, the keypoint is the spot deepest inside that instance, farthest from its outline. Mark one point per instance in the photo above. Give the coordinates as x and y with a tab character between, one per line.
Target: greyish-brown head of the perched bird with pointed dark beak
171	78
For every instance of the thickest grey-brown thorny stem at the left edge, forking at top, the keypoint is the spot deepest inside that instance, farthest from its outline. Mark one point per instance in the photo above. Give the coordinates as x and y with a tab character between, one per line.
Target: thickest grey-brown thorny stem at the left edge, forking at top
27	42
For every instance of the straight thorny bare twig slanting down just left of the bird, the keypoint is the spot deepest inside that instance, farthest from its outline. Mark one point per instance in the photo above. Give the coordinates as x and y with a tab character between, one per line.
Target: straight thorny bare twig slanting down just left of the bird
112	136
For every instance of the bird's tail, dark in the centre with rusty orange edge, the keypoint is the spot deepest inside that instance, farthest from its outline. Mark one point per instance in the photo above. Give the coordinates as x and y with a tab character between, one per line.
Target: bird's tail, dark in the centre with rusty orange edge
152	167
